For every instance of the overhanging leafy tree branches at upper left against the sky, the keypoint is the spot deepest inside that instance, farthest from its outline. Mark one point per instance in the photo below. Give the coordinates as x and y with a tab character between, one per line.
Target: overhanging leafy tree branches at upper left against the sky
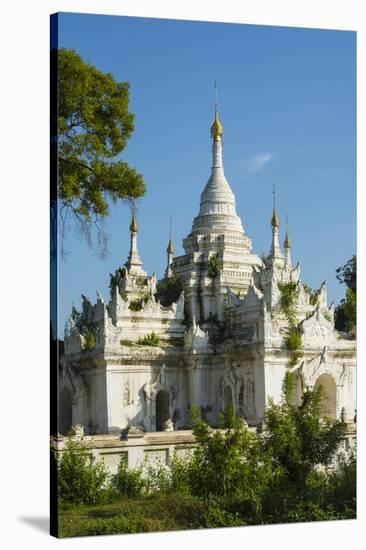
94	125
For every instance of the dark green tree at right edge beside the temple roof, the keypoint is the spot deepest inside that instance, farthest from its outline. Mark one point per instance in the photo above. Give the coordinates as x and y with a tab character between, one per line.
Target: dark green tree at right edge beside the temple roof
346	311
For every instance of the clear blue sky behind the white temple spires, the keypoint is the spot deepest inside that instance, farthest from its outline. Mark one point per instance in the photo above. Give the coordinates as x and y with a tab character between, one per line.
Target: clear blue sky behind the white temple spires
287	101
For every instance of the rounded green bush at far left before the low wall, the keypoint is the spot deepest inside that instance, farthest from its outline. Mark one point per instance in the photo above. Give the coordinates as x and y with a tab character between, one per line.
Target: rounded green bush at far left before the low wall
80	481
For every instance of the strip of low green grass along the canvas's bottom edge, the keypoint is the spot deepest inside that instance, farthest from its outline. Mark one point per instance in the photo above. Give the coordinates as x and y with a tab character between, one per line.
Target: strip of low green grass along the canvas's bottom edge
175	513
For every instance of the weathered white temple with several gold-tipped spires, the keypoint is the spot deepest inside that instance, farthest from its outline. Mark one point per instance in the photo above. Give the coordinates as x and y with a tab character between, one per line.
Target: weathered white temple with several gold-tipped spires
133	365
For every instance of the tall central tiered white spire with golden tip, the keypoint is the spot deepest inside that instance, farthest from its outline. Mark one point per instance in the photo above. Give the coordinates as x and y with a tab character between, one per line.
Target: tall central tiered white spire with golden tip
217	252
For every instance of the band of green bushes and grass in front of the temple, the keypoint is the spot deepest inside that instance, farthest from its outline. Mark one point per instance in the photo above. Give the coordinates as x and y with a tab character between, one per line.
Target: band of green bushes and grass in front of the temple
232	476
